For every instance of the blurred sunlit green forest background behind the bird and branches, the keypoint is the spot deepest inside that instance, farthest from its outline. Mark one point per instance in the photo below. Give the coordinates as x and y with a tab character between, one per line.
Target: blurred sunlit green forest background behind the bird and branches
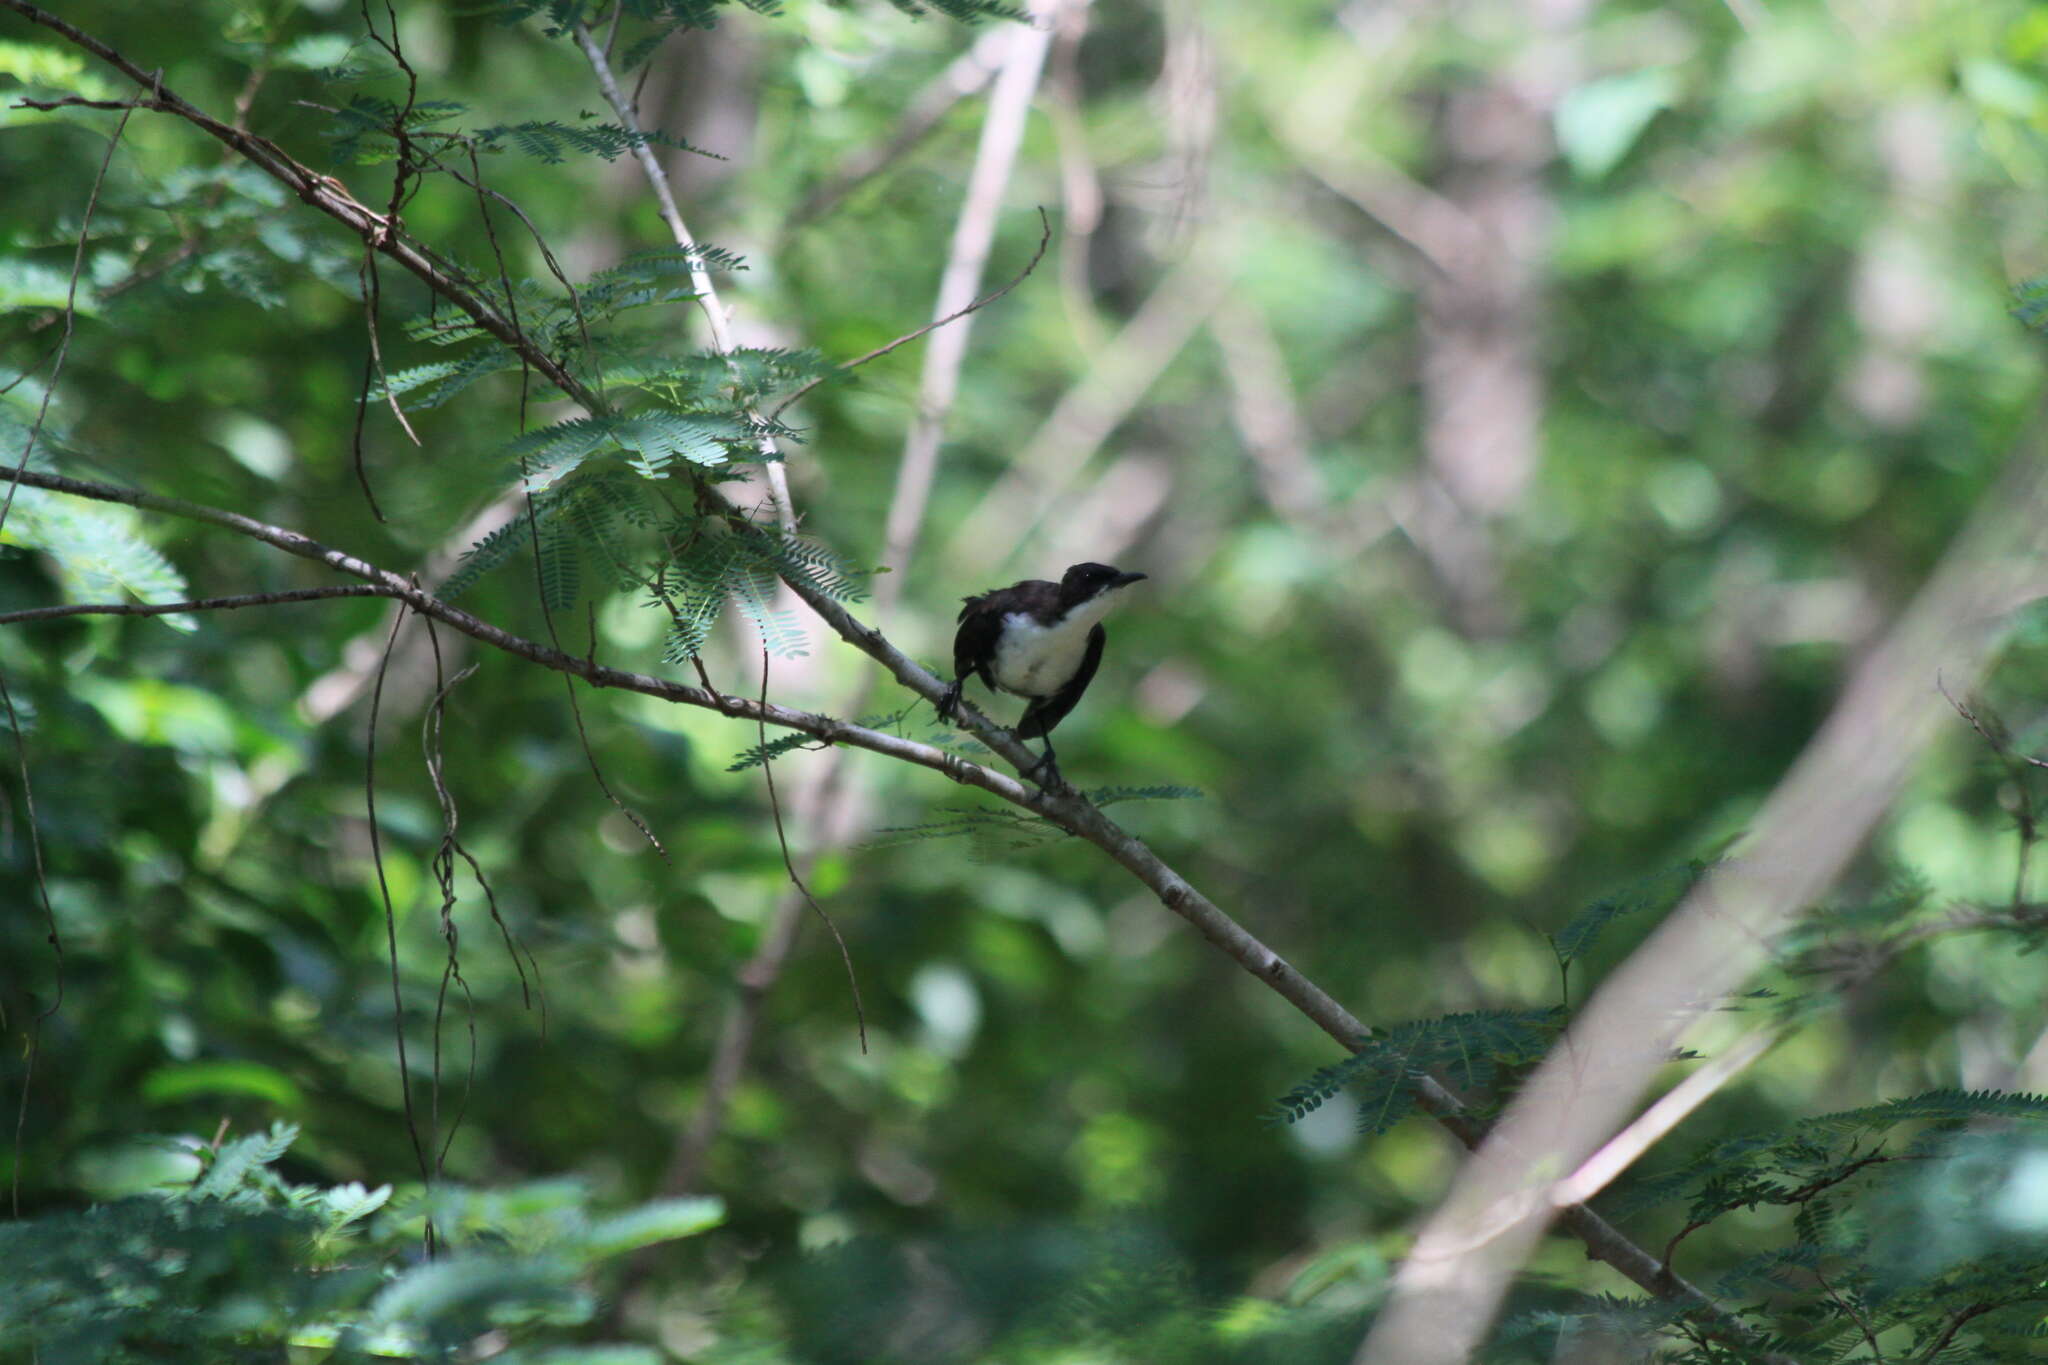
1523	412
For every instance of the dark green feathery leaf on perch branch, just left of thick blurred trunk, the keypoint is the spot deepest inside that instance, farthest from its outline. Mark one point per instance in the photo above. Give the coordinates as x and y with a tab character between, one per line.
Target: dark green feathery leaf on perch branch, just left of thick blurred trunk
1469	1051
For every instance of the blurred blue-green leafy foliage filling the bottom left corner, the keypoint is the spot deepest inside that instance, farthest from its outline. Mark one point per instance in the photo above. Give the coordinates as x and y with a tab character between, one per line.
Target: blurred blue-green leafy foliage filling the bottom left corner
243	1264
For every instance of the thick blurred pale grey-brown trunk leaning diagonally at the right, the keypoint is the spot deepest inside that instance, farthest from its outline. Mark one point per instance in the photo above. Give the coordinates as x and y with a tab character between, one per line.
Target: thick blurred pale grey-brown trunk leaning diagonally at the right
1818	818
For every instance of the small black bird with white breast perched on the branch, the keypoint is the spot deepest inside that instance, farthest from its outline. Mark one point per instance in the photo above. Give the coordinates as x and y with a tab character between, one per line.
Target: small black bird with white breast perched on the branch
1039	642
